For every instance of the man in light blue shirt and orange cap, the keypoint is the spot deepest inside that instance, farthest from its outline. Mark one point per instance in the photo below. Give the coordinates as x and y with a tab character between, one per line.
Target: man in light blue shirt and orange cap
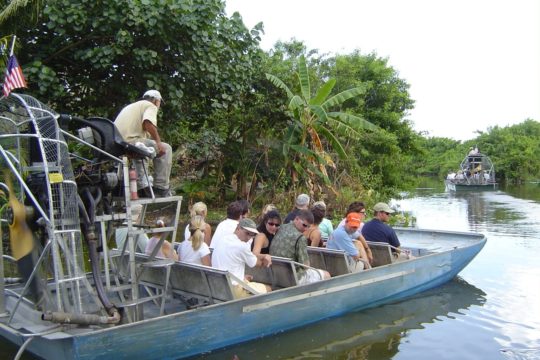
343	239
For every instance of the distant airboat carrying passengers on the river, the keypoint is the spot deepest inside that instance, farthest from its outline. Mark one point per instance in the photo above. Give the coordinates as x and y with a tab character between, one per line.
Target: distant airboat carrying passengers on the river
476	172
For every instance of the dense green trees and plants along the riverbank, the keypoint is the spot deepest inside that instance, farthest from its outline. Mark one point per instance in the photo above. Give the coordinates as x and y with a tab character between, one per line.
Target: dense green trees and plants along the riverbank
243	122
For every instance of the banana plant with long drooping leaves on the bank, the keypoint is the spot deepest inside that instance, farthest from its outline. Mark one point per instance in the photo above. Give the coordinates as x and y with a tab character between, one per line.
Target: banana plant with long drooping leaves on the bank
317	124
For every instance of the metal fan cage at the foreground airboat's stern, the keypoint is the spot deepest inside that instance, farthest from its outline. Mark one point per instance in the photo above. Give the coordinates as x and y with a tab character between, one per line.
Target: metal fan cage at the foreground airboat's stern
33	148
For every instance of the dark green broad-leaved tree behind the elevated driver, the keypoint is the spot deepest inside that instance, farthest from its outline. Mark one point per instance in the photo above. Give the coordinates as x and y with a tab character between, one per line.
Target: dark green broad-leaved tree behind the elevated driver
94	57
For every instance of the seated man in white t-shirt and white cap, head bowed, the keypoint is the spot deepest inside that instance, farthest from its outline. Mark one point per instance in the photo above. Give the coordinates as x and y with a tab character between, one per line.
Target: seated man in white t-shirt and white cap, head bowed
233	254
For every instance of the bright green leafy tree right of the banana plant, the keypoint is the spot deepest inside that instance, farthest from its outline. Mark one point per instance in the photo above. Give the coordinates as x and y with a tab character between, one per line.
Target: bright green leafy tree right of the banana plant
384	160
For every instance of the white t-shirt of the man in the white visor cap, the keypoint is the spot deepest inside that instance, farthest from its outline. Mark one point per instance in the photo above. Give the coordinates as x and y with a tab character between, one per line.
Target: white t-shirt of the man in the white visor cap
232	254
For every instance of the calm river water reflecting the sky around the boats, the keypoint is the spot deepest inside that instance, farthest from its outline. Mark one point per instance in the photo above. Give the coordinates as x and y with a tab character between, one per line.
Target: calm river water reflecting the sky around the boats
491	311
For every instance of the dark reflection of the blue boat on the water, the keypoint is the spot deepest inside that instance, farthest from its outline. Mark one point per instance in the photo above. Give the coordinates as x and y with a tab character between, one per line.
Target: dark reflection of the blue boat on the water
373	333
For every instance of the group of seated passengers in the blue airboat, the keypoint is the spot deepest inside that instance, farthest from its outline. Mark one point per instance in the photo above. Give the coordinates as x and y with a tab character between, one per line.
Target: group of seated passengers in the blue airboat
238	242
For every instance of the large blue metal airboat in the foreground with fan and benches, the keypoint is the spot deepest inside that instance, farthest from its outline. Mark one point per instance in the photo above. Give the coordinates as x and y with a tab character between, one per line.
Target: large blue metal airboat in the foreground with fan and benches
69	289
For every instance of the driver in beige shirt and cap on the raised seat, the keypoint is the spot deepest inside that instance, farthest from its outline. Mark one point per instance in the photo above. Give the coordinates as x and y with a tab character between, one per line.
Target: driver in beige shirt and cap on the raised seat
137	122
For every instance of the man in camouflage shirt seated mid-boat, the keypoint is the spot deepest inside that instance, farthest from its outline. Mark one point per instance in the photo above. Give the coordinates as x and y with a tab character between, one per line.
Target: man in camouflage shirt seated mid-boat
290	242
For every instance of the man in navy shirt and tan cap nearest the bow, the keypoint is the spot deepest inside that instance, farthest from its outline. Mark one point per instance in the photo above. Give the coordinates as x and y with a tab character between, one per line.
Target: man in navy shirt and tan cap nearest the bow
378	231
